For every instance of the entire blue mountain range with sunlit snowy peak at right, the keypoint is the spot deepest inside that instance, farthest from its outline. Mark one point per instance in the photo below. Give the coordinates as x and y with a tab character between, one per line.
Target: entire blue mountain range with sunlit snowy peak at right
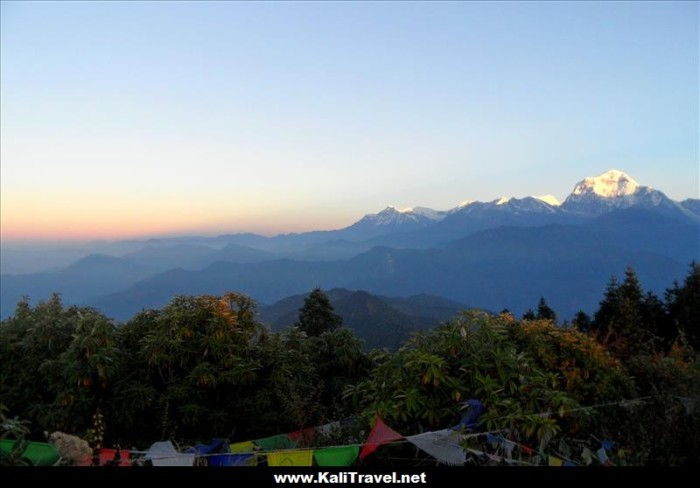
504	253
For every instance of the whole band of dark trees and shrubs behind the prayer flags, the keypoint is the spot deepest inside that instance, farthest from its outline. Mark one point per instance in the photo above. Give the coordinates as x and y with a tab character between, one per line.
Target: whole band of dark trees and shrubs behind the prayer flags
202	367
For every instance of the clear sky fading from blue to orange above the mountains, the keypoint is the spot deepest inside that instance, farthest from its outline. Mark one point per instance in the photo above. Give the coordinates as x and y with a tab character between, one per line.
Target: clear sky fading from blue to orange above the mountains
142	119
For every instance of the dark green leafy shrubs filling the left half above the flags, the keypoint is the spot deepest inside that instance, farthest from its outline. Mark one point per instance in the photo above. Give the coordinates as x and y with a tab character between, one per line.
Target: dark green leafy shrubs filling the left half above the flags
201	367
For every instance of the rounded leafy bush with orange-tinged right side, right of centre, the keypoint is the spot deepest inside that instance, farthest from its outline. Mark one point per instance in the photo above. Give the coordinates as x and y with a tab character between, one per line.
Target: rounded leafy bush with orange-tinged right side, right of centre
517	369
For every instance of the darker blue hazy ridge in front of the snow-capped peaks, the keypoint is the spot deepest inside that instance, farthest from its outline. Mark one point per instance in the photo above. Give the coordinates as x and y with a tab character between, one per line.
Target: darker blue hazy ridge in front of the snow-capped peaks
495	268
